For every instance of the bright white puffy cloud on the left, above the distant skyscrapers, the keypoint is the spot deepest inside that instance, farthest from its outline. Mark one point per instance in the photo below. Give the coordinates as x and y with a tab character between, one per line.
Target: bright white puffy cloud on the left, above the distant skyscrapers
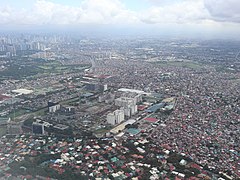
90	11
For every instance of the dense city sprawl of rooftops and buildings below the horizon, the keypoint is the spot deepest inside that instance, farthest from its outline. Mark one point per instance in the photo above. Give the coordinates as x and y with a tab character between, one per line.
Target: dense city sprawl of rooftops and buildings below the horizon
118	108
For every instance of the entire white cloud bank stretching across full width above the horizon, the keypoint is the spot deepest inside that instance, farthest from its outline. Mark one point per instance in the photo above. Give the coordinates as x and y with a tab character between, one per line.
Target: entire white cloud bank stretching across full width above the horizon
115	12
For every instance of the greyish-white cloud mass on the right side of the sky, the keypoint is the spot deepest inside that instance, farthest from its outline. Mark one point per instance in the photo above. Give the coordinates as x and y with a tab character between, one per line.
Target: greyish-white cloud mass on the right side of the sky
188	11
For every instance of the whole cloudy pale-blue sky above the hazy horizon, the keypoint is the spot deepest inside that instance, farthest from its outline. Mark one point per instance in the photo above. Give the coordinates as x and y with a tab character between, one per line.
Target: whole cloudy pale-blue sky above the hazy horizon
199	17
